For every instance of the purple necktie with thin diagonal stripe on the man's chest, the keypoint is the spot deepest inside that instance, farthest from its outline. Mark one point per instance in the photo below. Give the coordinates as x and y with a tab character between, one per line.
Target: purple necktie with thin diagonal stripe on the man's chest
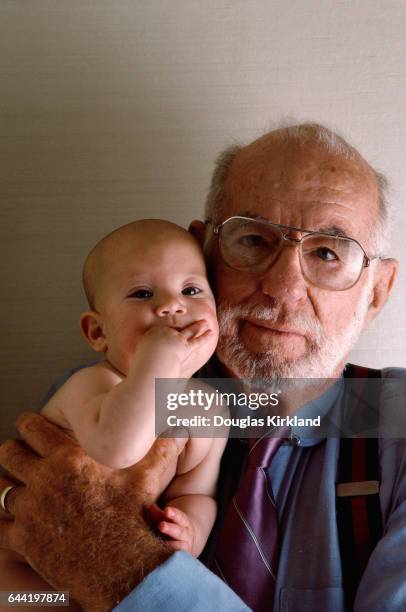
247	549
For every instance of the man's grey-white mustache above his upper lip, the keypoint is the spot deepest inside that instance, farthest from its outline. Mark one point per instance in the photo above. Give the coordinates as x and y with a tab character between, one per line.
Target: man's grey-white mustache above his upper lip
228	313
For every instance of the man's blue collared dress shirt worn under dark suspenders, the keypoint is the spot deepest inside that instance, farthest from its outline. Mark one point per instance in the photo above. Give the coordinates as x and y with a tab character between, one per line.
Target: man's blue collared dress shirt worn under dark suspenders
309	579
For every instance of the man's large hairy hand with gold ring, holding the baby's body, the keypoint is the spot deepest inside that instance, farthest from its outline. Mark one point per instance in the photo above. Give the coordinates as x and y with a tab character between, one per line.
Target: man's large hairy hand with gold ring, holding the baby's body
79	524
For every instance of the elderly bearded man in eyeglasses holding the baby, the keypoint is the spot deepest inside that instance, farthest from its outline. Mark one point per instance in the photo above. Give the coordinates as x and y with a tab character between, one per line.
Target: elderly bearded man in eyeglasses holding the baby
295	238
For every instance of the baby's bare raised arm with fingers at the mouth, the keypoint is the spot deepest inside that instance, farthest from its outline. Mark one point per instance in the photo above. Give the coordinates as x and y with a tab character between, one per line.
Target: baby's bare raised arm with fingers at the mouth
112	416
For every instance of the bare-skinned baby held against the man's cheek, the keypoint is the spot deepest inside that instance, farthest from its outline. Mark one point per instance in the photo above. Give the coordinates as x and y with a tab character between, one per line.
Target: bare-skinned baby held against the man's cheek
153	315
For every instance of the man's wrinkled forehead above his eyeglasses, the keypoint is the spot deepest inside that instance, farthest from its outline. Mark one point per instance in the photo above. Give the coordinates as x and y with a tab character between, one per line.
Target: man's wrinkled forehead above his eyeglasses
302	186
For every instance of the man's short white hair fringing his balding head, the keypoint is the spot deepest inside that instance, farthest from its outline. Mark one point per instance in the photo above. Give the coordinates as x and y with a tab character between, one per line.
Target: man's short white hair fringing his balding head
304	134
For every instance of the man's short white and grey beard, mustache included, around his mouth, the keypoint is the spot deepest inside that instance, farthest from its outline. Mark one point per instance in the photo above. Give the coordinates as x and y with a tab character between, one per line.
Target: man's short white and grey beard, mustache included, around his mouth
323	353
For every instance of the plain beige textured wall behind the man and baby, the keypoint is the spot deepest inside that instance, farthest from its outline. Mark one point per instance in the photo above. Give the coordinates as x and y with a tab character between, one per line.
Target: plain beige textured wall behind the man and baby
113	110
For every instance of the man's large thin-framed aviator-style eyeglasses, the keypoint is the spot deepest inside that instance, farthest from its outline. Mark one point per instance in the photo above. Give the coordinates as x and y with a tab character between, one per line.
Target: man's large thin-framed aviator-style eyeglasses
327	260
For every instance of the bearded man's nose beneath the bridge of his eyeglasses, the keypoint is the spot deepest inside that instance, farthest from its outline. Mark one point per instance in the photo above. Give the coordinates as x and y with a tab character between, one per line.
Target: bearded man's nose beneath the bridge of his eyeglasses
284	279
